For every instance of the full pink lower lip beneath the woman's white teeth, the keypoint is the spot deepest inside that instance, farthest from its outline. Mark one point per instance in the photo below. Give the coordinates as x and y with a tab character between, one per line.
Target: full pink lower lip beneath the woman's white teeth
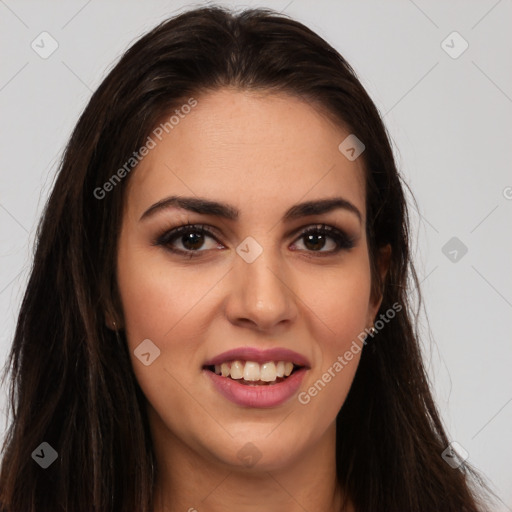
270	395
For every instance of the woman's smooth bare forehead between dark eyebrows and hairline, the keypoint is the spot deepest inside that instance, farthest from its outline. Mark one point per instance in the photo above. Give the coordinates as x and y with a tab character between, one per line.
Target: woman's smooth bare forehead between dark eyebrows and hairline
250	149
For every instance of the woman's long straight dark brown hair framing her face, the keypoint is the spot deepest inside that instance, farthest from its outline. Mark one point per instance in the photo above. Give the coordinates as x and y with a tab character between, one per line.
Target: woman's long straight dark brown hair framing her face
72	383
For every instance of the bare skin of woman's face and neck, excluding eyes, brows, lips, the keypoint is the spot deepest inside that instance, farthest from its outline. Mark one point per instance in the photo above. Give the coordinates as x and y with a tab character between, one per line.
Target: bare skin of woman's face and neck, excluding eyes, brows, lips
260	153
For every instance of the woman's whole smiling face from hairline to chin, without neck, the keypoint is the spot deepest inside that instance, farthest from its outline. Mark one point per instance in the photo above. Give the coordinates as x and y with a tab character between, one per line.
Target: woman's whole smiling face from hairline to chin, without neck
253	288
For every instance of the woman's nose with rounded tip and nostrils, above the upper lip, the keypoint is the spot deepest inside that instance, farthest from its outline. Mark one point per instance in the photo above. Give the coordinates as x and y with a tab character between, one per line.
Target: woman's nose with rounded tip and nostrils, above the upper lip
261	294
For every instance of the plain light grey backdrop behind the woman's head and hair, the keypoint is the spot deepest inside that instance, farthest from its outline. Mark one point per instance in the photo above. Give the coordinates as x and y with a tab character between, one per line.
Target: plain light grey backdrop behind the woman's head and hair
448	109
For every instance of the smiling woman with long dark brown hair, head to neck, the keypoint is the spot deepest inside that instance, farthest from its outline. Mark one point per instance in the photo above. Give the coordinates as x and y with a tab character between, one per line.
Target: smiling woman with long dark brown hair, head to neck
218	315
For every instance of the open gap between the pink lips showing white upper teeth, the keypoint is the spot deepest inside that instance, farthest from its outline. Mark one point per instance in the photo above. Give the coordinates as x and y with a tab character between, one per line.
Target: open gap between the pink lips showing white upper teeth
252	373
